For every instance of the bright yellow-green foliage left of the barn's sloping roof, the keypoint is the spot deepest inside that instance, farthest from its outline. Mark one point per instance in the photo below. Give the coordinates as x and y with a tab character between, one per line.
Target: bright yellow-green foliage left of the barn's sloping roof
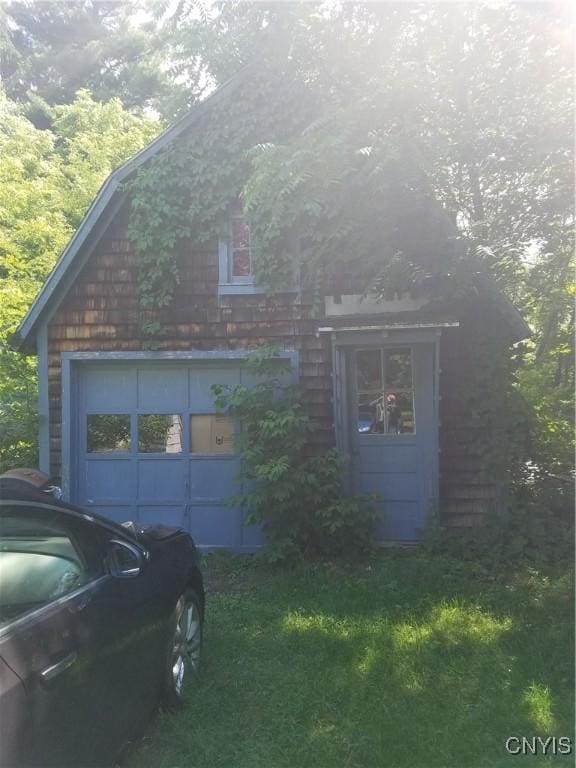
48	178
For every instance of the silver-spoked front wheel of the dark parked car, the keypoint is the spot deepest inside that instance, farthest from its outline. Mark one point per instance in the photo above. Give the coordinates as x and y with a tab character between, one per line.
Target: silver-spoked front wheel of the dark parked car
185	648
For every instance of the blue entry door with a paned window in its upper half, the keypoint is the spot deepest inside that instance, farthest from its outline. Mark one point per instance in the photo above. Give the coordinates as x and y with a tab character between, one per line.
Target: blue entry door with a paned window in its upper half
393	432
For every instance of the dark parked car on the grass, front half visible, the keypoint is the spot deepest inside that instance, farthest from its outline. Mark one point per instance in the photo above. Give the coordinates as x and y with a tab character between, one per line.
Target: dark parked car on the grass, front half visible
98	623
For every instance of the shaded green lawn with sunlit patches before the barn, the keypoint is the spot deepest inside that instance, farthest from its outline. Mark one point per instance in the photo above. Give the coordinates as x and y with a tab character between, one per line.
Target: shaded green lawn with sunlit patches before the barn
408	661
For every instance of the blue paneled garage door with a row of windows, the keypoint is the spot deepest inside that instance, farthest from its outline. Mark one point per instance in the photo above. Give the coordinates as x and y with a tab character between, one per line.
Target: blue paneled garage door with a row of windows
150	447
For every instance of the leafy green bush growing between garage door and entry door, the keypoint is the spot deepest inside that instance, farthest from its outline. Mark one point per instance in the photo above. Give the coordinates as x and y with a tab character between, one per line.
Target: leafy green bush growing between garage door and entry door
299	499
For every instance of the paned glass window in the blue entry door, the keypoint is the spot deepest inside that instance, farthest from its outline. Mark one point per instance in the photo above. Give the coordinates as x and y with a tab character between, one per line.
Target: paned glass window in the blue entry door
385	391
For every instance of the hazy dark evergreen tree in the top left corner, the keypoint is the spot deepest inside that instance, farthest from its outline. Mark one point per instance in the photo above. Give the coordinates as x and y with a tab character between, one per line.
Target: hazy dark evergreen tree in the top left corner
50	50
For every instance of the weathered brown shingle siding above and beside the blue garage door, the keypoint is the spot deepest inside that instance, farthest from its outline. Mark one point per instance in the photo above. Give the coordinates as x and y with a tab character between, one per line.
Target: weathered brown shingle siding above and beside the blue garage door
100	313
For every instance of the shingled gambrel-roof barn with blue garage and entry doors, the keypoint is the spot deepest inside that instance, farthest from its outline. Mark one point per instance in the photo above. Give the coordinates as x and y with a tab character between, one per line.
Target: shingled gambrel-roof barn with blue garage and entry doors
133	432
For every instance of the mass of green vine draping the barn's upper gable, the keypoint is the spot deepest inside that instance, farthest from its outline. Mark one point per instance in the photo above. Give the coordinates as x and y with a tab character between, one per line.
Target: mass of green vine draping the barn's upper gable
315	168
